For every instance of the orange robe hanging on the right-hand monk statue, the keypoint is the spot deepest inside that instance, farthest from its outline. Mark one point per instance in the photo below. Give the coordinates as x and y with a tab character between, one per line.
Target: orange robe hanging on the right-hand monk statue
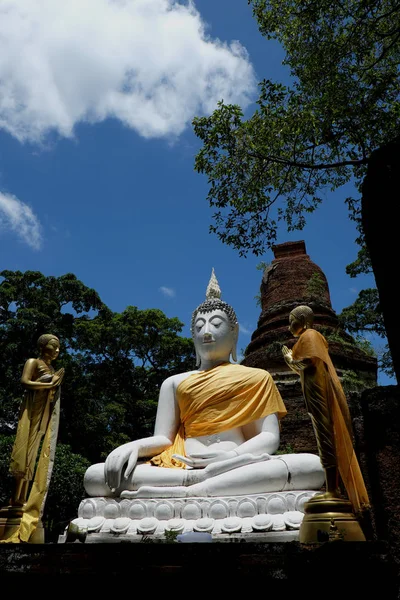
327	405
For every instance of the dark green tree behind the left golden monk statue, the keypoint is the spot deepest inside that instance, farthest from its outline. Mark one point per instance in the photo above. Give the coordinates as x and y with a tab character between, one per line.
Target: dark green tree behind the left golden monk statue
30	305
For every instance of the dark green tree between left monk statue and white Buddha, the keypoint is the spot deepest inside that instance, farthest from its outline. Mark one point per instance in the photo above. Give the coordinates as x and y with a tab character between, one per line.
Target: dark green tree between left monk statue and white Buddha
120	361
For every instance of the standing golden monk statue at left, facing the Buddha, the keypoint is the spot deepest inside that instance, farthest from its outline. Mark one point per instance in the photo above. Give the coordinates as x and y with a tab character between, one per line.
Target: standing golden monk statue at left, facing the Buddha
37	427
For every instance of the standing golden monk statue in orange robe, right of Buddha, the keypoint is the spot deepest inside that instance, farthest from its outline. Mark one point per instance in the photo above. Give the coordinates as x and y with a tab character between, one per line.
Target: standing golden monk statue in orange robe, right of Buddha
327	406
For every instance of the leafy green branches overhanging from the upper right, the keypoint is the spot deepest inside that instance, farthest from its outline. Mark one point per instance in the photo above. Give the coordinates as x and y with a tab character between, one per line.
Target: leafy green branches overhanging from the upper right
312	136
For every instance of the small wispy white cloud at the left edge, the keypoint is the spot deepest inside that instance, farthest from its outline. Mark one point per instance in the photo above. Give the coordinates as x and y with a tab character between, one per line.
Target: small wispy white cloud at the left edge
19	217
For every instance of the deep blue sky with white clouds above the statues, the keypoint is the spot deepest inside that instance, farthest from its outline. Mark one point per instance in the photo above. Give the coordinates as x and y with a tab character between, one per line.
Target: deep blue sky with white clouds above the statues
97	152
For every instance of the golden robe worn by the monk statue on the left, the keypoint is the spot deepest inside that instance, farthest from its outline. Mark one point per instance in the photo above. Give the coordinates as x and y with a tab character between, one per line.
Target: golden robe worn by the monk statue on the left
38	423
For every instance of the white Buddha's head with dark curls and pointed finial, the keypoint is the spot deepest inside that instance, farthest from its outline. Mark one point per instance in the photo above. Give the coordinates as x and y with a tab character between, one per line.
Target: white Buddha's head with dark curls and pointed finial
214	326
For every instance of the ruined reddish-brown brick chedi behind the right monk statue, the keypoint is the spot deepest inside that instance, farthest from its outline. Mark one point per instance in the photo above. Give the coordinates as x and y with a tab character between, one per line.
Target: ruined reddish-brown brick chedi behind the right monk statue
289	280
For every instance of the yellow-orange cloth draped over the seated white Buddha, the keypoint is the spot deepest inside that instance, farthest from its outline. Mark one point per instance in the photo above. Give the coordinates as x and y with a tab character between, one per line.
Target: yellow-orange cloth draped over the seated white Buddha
221	398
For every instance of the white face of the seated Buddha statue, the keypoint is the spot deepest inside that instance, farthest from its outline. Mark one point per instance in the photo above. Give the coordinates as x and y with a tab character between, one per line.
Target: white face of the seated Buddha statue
213	335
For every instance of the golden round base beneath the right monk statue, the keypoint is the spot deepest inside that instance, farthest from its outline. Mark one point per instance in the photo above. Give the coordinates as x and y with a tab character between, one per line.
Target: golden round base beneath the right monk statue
329	519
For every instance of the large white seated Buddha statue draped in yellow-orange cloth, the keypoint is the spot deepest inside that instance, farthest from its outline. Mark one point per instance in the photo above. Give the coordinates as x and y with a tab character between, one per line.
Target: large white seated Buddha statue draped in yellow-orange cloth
216	430
